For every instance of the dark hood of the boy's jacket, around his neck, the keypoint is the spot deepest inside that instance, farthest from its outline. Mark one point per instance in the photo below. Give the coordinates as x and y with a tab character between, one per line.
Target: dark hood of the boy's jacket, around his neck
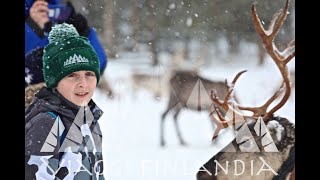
53	101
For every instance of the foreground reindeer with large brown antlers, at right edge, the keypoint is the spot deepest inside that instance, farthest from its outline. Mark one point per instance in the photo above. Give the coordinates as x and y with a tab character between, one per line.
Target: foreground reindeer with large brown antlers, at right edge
266	159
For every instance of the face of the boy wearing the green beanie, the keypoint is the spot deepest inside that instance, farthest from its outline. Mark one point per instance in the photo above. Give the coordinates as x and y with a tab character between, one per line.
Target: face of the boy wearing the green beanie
78	87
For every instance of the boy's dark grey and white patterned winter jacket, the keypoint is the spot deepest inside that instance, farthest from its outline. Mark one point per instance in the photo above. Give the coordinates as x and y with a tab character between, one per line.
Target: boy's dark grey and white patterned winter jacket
62	140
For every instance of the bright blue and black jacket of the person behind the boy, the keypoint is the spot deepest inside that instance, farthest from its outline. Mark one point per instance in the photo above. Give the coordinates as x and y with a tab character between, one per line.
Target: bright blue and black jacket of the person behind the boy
36	39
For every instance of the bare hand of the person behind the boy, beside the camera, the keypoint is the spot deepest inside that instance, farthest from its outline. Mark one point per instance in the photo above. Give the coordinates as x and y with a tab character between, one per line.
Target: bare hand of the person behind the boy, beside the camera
39	13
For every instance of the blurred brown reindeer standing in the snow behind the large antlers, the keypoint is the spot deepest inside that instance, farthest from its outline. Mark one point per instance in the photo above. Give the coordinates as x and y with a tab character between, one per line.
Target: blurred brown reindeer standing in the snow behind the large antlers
182	83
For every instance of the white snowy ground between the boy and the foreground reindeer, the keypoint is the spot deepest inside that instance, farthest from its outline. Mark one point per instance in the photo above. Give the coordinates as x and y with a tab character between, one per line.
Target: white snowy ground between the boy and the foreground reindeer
131	122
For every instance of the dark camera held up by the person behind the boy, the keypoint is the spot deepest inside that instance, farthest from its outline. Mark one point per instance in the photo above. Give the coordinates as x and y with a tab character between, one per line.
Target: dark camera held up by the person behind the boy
59	12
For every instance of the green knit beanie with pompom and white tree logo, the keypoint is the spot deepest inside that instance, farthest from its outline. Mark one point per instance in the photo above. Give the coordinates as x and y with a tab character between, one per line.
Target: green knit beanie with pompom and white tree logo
67	52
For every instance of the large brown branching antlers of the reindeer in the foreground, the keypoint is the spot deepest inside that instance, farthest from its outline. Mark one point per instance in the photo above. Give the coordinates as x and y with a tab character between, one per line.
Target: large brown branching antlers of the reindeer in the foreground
280	58
